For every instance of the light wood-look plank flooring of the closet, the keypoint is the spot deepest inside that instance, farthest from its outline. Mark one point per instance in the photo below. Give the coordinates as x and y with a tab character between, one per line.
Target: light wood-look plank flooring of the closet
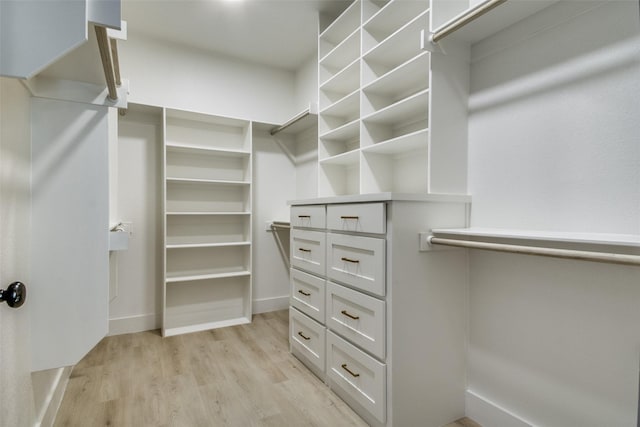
236	376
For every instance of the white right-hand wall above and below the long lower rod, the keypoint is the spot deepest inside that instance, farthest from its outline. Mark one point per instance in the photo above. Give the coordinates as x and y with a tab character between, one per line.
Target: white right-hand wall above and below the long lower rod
554	145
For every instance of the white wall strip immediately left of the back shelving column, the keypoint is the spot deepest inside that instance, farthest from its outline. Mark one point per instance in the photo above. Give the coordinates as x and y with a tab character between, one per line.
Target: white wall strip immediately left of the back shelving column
138	301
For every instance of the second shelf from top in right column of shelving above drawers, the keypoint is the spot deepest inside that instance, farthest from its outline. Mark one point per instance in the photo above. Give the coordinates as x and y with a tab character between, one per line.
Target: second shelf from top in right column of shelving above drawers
401	45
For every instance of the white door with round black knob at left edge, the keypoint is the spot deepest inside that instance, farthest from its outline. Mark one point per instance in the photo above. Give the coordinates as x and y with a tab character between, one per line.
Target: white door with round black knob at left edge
16	404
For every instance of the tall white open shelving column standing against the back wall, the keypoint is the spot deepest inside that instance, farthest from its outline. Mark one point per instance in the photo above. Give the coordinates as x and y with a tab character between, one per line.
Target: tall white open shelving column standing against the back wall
207	204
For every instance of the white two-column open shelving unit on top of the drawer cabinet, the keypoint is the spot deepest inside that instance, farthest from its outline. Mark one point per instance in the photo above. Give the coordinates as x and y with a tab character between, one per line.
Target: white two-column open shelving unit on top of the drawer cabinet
375	127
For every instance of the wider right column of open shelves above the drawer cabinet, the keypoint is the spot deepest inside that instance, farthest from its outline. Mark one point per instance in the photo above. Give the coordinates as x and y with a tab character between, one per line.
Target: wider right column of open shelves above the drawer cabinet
395	98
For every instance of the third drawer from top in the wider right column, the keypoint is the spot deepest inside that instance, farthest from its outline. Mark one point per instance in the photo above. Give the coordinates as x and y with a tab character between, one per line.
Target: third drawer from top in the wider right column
357	317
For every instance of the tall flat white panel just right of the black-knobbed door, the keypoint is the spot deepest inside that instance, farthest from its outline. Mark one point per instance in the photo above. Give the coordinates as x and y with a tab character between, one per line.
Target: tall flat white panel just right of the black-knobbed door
69	298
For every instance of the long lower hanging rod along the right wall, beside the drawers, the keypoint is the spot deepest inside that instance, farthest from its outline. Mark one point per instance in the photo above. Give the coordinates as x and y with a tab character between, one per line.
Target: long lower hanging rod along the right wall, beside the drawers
541	251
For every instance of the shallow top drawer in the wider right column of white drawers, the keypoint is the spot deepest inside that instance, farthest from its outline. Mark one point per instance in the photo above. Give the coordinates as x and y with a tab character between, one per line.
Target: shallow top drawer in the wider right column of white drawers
359	217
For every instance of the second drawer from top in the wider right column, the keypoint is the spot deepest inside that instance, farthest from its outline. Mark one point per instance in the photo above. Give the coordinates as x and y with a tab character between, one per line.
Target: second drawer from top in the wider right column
357	261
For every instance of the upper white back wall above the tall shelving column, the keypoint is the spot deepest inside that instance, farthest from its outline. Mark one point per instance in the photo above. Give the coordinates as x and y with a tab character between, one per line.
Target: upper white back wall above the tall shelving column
168	75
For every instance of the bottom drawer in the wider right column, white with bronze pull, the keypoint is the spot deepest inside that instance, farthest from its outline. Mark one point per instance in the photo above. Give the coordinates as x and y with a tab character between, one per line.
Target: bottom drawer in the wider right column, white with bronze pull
359	375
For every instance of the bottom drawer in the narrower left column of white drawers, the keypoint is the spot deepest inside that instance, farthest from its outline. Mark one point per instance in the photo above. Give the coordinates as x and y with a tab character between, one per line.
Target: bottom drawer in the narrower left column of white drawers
307	338
